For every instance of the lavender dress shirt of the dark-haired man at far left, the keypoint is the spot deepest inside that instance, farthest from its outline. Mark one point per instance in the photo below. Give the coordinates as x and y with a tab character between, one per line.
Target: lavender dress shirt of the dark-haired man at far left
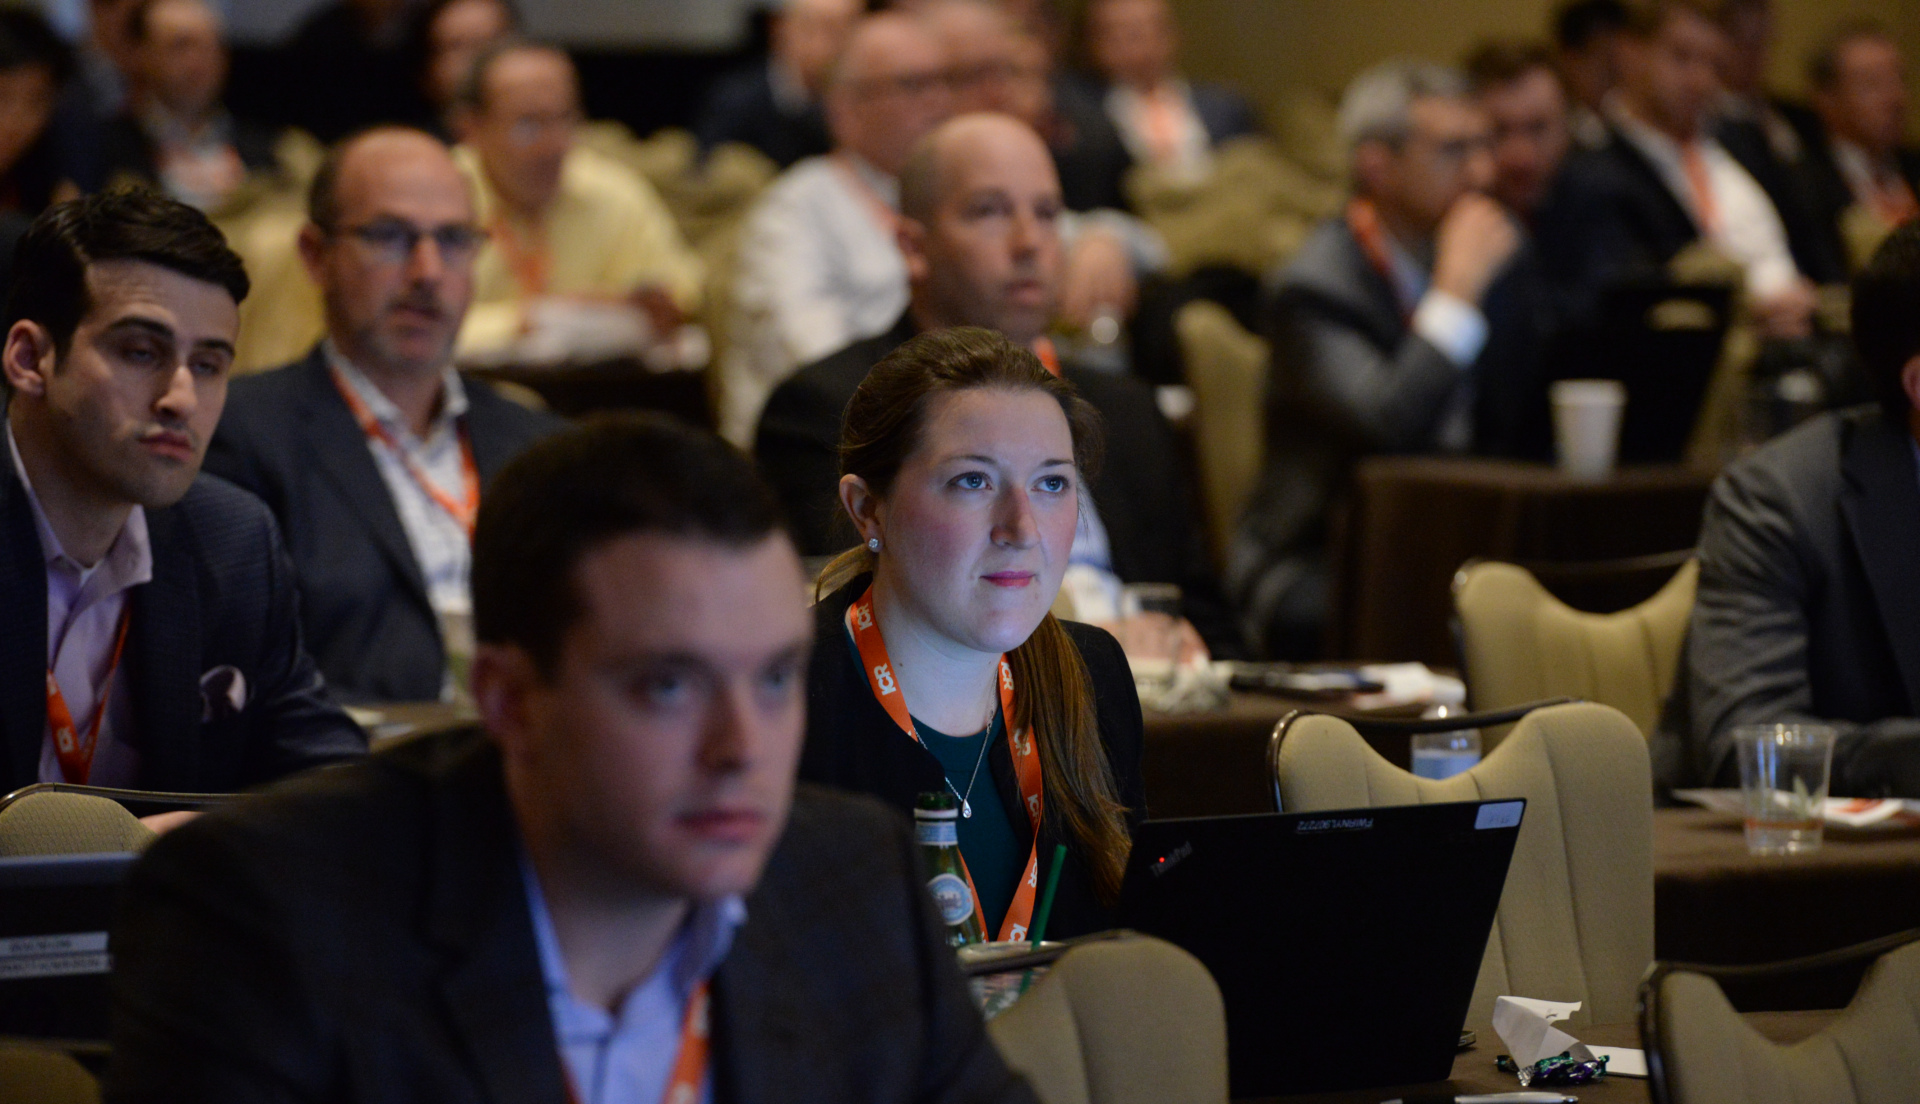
84	610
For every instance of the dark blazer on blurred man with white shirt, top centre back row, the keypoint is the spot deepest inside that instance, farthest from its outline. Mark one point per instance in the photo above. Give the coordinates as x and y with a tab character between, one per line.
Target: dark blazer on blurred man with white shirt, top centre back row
1092	155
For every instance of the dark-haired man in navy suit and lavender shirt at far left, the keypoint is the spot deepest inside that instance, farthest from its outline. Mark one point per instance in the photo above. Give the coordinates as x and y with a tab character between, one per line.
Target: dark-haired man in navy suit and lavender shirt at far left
151	619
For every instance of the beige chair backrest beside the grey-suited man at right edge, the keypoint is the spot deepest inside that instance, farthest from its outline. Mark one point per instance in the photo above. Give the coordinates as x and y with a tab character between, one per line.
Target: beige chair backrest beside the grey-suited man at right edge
1524	644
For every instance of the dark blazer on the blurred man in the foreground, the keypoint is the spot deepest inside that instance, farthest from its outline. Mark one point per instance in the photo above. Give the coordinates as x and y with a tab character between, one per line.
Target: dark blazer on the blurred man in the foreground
364	936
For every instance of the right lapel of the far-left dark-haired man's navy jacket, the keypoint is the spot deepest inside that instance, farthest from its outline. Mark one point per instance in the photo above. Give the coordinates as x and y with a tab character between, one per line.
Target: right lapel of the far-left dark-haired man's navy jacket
164	652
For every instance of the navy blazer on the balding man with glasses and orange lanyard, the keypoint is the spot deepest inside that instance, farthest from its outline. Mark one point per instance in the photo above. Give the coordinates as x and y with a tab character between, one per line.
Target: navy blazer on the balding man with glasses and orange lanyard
289	439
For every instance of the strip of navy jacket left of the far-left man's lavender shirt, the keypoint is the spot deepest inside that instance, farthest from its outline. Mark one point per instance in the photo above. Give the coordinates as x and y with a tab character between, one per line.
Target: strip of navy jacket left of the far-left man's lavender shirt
24	642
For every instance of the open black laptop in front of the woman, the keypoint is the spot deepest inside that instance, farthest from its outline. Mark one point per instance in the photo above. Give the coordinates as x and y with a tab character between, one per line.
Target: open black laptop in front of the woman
1345	944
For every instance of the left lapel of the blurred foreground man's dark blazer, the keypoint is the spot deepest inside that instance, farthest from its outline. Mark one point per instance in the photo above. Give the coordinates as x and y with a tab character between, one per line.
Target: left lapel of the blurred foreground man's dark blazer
492	988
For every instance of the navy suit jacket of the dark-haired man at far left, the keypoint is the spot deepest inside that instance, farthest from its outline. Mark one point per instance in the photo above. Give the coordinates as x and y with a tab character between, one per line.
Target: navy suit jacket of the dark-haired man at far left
222	598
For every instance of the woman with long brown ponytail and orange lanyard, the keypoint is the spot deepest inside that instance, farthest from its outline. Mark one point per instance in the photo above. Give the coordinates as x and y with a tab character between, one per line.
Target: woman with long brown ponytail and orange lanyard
938	665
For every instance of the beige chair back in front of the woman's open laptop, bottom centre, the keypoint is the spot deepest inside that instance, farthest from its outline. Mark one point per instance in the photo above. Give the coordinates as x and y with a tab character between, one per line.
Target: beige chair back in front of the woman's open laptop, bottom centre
1120	1022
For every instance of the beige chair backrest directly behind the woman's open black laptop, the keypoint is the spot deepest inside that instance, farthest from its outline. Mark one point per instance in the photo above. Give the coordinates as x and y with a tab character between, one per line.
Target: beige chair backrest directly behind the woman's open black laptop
1577	915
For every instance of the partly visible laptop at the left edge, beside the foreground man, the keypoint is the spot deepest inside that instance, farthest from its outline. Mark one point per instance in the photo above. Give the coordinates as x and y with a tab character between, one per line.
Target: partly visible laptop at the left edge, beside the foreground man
55	963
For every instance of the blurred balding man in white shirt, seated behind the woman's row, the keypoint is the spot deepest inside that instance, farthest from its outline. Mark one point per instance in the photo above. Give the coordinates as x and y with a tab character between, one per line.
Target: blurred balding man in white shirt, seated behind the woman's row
819	264
